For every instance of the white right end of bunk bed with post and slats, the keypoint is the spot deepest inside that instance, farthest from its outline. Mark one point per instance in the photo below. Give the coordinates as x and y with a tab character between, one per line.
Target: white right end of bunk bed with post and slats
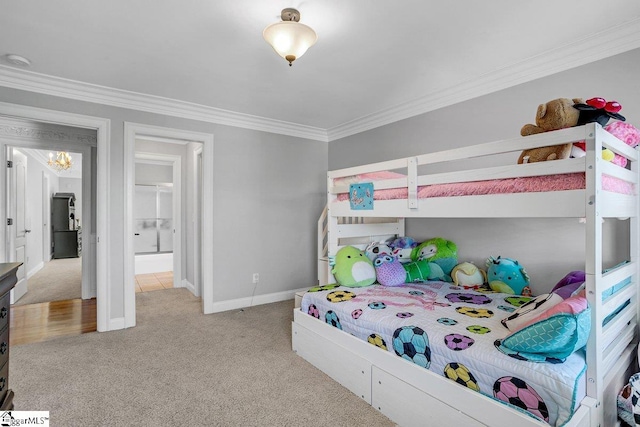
612	295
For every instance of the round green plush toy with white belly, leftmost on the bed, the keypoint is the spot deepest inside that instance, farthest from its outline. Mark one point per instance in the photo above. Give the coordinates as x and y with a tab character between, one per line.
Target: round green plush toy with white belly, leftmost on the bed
352	268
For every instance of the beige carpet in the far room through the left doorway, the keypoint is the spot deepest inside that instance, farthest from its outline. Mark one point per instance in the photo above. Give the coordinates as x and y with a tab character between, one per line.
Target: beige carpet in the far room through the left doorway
58	280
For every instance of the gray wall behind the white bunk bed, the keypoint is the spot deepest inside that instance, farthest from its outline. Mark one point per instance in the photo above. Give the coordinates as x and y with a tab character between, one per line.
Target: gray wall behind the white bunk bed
493	117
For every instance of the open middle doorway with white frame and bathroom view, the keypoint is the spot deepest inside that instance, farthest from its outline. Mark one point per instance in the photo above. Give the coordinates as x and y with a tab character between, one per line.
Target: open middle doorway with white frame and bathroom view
168	167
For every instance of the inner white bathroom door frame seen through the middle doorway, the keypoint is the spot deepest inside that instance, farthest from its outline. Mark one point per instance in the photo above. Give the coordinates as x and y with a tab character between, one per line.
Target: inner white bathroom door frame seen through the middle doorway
176	204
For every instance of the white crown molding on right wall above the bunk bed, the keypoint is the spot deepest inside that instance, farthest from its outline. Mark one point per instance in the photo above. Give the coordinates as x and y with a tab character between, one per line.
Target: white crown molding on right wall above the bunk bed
606	43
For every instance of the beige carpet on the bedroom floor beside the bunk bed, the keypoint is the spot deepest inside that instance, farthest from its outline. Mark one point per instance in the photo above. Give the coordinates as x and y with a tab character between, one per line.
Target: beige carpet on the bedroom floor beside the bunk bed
180	367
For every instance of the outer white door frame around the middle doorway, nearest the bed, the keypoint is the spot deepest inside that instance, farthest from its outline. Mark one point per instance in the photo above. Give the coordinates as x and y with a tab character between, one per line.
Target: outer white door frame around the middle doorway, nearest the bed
137	130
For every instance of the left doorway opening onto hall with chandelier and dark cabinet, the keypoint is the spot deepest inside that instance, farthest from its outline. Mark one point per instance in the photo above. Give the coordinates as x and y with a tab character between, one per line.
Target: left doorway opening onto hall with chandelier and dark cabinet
52	217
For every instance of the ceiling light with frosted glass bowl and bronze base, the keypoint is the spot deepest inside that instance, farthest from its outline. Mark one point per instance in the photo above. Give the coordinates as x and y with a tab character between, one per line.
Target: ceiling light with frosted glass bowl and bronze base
289	38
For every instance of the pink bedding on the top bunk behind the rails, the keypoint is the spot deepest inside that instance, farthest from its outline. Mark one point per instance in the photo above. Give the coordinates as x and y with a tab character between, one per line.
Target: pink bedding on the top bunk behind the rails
532	184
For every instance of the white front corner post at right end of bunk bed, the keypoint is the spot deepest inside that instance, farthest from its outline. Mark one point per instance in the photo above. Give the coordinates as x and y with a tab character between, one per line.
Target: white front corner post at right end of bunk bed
593	268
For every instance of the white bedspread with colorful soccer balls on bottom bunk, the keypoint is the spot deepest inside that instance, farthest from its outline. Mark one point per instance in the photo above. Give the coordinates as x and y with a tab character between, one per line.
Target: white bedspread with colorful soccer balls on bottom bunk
457	331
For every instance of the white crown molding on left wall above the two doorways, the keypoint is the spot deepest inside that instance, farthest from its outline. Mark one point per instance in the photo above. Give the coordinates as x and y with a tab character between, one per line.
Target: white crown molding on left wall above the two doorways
80	91
